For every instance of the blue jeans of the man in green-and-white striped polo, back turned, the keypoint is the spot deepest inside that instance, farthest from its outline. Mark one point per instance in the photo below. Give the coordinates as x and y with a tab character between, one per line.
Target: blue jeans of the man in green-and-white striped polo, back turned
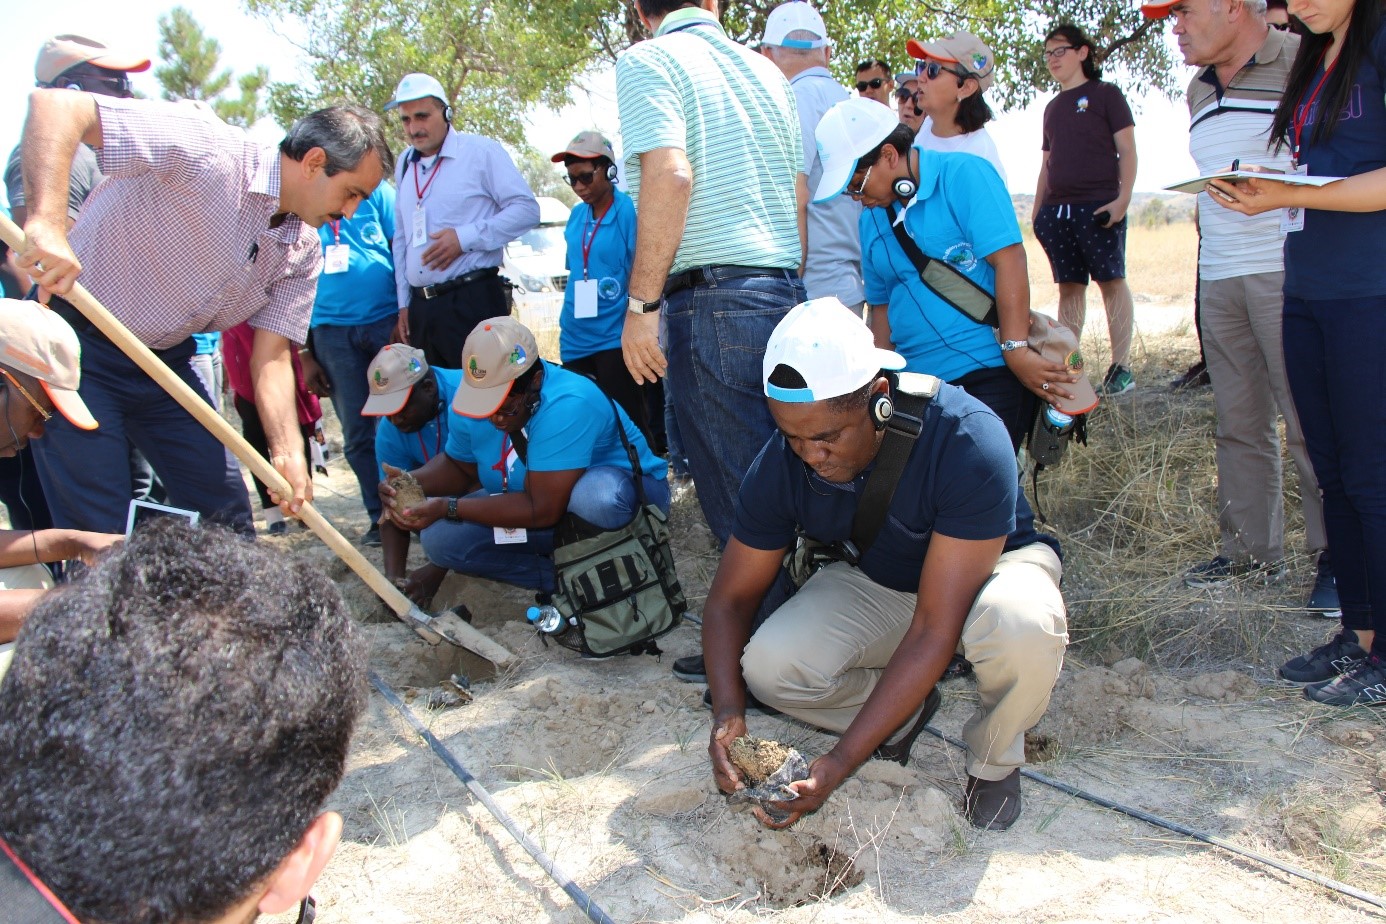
717	339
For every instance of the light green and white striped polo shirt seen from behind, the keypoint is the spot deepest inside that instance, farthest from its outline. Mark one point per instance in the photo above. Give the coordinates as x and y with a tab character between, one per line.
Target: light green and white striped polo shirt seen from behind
733	113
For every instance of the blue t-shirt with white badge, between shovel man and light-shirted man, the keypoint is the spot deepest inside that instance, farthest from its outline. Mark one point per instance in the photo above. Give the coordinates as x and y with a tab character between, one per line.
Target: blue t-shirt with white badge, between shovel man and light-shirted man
365	293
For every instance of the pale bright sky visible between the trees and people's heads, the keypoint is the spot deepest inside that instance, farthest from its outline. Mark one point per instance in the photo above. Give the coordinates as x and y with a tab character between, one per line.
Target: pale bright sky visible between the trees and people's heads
1162	138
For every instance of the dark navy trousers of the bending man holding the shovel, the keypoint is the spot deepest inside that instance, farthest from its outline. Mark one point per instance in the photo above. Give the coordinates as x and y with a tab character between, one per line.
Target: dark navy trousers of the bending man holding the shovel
87	474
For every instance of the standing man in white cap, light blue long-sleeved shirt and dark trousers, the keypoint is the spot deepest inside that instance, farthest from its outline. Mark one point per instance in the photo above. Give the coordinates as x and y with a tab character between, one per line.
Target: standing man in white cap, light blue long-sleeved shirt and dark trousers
451	233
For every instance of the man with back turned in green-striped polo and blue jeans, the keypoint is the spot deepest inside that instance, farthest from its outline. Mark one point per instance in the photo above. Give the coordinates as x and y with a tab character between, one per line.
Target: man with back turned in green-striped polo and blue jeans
716	164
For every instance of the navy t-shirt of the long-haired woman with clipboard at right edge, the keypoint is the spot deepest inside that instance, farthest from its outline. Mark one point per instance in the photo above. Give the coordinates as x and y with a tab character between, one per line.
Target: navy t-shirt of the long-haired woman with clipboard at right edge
1340	254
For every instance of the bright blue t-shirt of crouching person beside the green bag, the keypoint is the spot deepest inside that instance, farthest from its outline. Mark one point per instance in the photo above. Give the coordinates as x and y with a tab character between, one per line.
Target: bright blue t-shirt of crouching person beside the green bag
572	429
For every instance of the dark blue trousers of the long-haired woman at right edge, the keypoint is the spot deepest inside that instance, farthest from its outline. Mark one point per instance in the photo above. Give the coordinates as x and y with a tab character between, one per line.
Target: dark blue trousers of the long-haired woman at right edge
1334	355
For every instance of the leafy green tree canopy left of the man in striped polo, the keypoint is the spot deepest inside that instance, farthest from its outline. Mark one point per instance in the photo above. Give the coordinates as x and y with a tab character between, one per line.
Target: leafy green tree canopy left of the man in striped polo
495	59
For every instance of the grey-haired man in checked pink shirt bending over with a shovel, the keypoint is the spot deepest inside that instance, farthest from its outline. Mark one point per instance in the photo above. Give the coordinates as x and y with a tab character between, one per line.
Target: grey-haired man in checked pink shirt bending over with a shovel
196	229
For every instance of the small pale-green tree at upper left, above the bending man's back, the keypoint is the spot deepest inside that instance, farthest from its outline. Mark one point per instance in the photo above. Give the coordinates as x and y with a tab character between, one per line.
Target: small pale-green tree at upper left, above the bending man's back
191	71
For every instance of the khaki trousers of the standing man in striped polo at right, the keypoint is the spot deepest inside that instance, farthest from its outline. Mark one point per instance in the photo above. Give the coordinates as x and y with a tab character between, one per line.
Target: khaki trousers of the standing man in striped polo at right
1241	322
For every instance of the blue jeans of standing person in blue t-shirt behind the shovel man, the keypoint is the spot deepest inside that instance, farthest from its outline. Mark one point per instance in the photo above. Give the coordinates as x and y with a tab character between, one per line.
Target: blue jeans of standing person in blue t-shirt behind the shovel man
346	354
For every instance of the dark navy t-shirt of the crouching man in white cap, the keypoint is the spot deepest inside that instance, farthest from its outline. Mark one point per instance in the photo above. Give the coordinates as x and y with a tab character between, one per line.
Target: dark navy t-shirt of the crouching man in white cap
960	481
